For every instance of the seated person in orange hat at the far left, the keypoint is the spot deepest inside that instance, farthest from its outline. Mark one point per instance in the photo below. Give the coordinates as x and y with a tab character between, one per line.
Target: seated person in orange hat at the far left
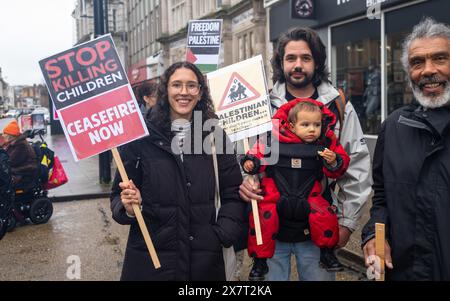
24	165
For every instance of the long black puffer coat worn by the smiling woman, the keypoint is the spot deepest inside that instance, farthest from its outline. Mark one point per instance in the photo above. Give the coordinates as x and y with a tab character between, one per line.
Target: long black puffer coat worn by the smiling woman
178	208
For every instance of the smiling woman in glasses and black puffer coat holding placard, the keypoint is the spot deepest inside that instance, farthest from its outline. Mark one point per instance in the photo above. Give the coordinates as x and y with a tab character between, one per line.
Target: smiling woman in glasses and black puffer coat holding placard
173	180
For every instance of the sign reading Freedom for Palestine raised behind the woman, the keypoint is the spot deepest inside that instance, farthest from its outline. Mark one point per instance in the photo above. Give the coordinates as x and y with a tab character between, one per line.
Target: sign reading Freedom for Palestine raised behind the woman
203	44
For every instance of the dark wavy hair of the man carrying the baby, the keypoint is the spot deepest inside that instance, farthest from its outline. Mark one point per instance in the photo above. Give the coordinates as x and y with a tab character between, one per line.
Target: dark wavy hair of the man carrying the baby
318	51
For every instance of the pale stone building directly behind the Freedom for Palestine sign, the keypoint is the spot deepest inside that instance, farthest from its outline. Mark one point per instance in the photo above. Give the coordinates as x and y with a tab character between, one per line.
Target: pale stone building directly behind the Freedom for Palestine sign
243	33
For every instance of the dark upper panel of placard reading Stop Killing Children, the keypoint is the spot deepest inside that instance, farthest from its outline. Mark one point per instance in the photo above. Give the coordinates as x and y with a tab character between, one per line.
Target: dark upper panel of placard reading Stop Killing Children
82	72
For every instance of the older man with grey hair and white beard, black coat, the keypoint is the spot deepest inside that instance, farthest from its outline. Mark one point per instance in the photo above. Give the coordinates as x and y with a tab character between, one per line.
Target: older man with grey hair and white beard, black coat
411	167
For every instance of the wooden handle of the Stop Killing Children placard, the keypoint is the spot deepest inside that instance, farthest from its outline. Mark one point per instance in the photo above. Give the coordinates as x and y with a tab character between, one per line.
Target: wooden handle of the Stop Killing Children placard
137	211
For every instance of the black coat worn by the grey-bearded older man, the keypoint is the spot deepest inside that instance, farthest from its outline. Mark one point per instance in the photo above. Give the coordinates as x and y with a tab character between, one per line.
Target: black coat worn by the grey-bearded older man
411	171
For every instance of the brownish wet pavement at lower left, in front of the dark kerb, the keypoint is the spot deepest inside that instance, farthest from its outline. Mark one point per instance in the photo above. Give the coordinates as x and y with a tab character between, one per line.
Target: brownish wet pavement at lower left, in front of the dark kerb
46	252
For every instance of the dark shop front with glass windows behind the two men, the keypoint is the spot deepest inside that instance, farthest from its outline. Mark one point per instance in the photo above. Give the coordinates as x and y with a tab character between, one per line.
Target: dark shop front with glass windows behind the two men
364	42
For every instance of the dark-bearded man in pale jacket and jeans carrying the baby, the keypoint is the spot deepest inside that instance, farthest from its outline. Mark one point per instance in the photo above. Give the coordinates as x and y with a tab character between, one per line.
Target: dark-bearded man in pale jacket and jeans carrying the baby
299	71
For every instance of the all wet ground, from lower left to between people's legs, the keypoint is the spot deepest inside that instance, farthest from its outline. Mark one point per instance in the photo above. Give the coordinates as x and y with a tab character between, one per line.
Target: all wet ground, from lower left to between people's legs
85	229
